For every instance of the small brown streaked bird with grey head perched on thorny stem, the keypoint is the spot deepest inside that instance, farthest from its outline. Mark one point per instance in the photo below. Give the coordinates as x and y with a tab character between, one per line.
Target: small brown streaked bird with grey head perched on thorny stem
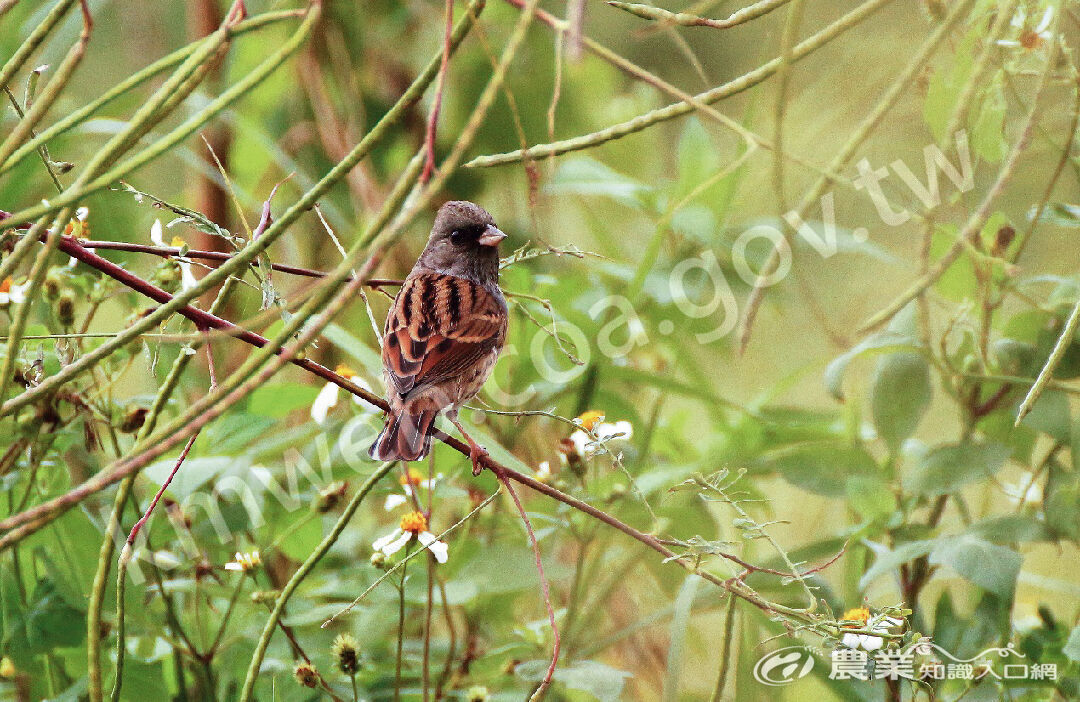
443	333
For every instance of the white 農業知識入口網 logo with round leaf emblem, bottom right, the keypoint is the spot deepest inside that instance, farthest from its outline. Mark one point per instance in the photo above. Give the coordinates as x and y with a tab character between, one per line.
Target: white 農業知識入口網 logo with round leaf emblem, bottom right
920	661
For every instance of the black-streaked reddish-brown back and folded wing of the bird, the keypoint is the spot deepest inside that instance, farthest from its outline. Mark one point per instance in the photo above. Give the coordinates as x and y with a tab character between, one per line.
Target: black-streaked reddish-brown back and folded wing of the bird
439	327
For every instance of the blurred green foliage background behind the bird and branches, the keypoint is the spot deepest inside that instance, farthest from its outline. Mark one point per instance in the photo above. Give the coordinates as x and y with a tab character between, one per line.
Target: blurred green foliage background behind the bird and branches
895	445
